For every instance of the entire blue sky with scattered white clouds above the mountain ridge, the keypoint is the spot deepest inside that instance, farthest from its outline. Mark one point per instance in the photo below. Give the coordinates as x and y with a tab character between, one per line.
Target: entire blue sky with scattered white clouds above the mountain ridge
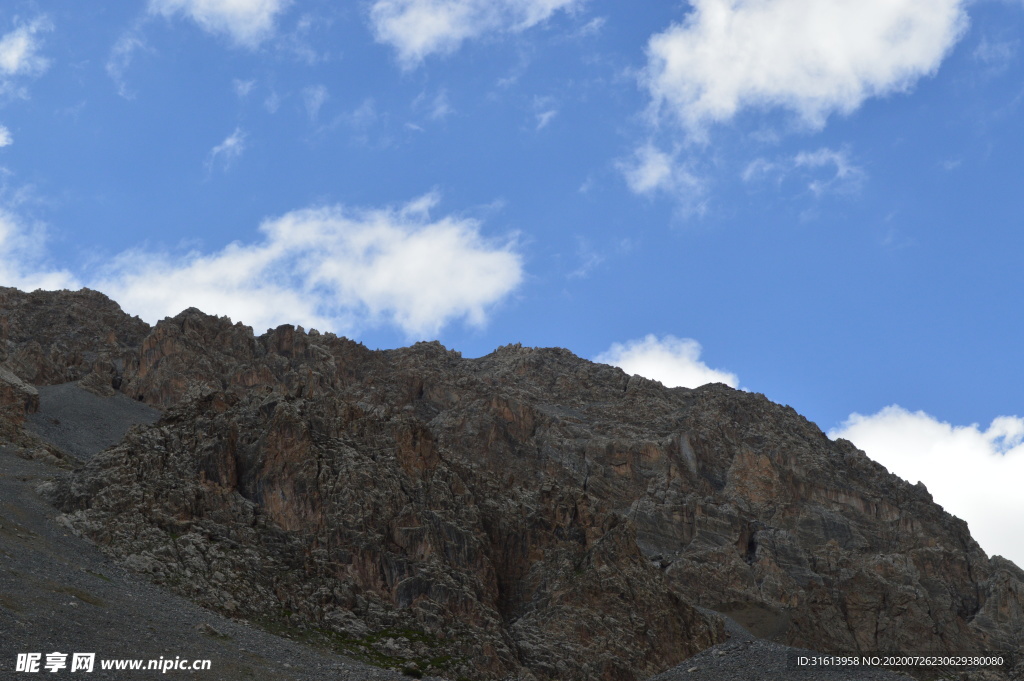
813	199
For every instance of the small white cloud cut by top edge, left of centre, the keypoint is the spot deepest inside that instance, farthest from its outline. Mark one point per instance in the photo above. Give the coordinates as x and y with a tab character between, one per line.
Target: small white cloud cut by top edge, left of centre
248	23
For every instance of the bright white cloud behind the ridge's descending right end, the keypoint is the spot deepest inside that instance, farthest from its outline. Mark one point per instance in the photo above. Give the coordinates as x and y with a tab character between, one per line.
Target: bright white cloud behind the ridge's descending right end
975	474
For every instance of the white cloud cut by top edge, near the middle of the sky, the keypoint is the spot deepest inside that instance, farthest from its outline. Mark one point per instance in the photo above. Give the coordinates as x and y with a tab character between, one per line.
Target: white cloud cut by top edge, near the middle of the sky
417	29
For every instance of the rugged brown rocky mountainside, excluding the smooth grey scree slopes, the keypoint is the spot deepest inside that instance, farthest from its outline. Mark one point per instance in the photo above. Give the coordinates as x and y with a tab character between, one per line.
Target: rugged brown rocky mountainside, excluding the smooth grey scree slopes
527	515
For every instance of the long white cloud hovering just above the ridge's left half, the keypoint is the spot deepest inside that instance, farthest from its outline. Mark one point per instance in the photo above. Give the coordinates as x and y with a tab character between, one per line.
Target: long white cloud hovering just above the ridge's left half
331	269
